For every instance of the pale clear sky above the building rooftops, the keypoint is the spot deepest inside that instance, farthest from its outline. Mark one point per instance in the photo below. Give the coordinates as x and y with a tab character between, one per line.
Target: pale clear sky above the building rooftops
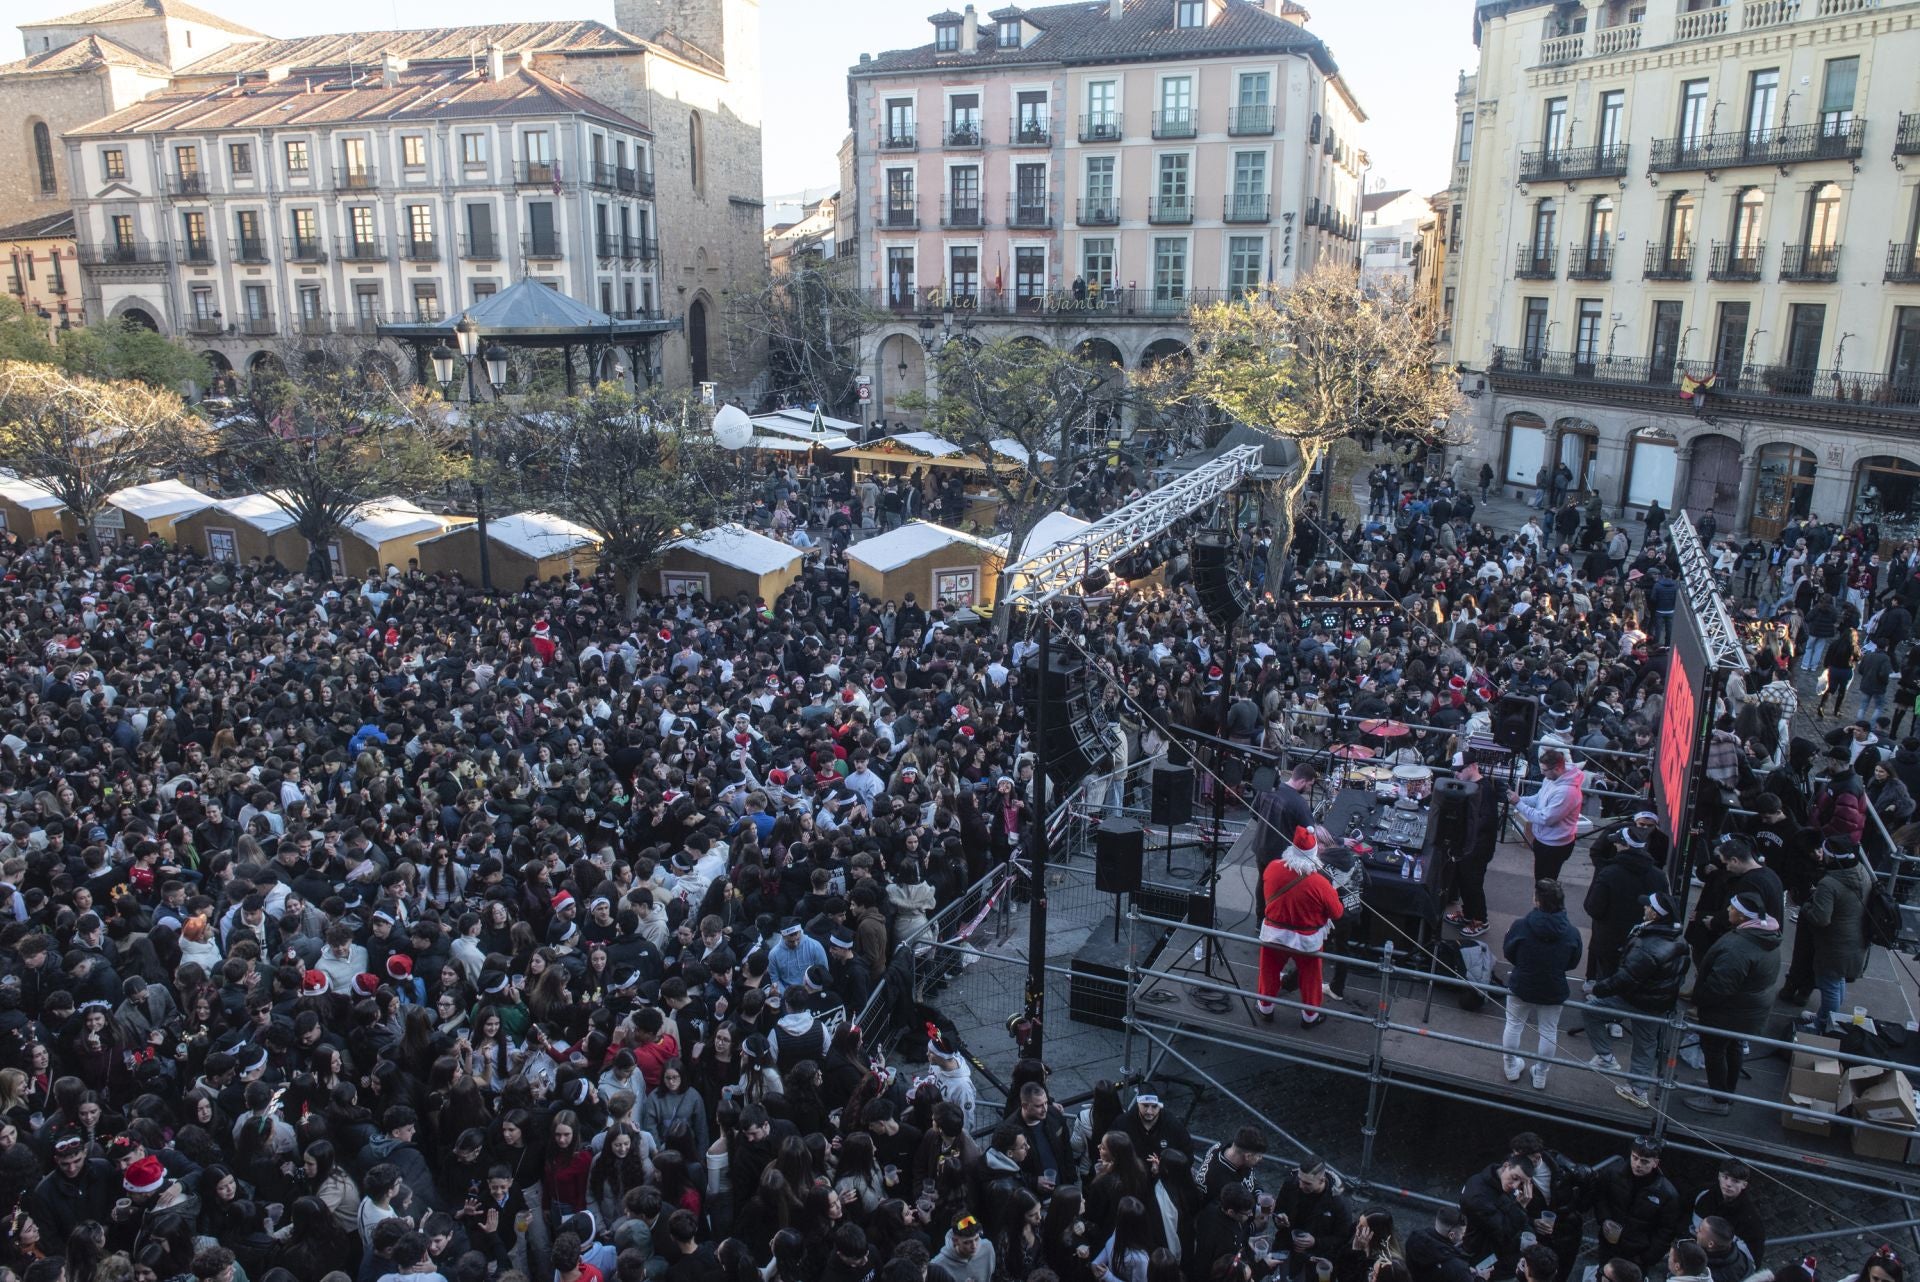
1399	57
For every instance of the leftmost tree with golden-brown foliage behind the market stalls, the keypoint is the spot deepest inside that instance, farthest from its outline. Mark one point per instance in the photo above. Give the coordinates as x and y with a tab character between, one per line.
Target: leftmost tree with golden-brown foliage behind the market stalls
85	439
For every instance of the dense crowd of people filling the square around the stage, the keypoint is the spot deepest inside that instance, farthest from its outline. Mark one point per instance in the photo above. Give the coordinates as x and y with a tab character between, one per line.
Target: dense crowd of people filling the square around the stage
360	930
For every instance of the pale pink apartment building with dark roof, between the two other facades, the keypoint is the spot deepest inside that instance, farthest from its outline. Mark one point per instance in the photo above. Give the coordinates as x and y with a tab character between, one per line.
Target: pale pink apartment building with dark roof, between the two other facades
1086	174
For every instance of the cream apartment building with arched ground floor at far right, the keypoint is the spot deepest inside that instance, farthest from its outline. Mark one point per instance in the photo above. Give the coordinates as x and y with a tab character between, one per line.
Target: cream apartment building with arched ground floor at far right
1685	254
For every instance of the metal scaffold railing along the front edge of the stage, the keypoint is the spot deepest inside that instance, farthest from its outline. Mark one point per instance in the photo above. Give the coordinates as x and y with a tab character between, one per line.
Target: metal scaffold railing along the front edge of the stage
1403	1049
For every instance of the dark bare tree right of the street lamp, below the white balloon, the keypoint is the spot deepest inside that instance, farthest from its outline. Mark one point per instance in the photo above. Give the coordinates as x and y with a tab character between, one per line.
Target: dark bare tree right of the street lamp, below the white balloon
636	471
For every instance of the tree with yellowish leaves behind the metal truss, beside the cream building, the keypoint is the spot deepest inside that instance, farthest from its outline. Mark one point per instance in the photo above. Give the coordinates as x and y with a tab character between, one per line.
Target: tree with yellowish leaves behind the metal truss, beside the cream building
1316	362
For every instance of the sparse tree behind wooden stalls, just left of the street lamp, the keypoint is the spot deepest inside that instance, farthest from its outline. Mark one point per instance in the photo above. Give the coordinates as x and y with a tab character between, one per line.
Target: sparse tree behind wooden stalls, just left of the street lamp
333	433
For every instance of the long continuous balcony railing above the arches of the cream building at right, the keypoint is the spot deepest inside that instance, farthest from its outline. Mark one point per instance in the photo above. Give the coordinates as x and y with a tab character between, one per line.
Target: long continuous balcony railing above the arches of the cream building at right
1821	394
